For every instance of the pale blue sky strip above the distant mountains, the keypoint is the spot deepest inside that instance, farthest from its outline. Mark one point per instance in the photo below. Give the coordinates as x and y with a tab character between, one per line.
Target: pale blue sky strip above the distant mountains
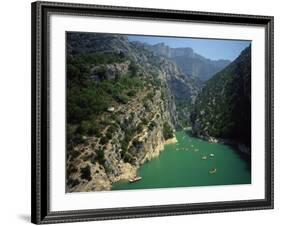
214	49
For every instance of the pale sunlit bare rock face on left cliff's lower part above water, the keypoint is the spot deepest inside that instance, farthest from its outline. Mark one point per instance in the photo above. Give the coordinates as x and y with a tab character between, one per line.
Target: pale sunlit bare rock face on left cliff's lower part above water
137	137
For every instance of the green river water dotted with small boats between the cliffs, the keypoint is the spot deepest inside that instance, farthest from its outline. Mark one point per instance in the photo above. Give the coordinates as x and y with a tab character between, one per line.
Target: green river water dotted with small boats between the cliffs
181	165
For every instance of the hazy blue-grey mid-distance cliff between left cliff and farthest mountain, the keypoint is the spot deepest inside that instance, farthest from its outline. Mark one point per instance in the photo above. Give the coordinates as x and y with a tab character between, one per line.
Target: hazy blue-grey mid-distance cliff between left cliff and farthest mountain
183	87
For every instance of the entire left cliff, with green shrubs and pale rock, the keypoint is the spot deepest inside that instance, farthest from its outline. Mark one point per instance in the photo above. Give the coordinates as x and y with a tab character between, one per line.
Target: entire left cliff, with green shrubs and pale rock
137	119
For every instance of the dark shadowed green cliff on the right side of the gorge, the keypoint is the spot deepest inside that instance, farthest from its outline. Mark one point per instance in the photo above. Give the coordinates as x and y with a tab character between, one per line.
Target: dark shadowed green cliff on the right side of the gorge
223	108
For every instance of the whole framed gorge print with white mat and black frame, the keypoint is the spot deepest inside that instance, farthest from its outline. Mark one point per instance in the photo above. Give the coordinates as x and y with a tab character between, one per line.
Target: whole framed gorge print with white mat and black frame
148	112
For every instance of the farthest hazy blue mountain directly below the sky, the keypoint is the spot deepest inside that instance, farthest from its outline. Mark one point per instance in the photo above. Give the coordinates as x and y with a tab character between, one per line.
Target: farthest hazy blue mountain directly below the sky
190	62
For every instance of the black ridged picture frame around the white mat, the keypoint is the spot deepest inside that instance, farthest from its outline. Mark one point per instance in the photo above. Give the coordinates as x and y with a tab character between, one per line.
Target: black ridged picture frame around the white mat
40	211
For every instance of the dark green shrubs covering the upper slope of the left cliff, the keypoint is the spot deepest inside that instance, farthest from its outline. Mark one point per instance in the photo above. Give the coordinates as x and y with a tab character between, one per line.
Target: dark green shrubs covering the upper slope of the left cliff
88	98
